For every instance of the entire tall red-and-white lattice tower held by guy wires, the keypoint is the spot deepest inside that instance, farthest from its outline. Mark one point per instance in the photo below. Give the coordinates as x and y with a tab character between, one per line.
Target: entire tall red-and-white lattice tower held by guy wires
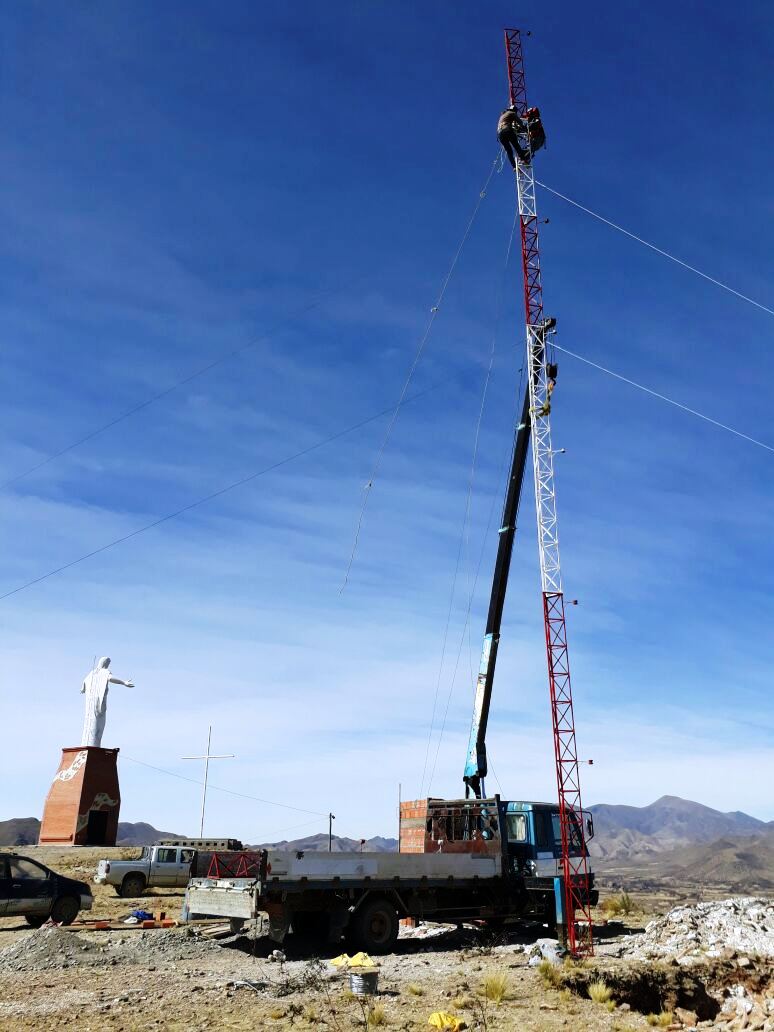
541	380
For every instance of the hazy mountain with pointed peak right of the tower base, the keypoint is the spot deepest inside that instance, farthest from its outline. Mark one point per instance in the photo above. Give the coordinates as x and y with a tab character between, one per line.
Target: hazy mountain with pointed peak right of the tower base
670	823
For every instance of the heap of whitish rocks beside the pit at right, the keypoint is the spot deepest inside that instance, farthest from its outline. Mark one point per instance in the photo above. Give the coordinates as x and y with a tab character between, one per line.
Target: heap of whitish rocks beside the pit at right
744	925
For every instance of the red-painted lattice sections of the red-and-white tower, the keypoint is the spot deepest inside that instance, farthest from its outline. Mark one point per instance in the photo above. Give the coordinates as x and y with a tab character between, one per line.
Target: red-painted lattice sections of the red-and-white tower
575	869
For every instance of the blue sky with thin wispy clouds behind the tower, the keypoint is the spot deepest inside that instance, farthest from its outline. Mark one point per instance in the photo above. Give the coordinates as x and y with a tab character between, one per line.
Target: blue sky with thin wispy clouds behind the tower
179	180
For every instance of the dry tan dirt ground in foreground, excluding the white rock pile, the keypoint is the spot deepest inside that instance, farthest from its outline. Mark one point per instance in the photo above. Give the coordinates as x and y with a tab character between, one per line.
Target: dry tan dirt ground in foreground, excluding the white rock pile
132	980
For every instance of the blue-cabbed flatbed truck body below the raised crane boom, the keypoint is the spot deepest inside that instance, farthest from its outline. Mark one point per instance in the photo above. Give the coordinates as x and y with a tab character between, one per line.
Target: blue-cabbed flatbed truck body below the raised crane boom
483	861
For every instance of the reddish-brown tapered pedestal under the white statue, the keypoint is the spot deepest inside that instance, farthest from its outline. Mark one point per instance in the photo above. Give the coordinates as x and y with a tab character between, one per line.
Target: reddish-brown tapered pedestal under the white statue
83	804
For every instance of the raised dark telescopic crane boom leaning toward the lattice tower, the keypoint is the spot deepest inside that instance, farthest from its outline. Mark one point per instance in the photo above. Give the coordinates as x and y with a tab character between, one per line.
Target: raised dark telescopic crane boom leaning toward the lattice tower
476	766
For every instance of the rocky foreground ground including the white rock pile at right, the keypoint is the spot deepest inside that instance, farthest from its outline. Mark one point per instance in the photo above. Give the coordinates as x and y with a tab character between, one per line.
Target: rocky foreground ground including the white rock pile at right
707	966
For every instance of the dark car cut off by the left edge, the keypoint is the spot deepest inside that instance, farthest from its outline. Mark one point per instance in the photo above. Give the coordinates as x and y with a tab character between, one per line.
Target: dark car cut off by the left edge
33	891
